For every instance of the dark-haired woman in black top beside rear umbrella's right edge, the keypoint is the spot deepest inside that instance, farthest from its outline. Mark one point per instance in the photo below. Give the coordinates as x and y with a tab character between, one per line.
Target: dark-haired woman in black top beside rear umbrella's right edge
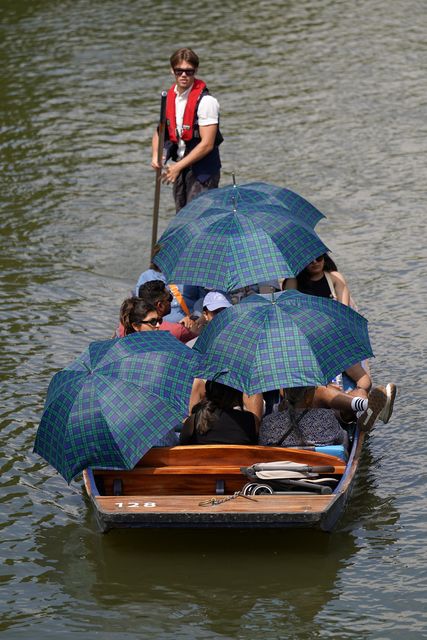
321	278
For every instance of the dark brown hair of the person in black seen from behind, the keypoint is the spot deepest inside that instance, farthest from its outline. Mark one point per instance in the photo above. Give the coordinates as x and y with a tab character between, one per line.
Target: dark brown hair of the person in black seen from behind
218	396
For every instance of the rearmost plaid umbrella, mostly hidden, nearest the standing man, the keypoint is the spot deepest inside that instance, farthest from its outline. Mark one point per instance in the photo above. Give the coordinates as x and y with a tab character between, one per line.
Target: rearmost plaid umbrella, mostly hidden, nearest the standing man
250	195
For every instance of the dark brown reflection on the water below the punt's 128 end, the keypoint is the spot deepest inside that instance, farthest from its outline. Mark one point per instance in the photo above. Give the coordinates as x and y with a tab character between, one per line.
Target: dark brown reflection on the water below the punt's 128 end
187	574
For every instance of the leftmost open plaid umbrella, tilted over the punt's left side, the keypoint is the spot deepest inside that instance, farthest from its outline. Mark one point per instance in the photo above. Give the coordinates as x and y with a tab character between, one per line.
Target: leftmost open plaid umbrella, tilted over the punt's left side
115	402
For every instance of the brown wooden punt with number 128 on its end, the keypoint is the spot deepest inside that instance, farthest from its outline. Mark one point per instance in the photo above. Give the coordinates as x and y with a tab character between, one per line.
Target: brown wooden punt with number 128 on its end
166	488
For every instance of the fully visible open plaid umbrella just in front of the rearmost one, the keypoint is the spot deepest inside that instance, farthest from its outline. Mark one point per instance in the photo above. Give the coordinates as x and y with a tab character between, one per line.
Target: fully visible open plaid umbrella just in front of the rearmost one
224	248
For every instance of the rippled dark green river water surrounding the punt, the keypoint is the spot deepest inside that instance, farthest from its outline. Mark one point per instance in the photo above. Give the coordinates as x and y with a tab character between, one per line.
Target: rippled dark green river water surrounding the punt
326	98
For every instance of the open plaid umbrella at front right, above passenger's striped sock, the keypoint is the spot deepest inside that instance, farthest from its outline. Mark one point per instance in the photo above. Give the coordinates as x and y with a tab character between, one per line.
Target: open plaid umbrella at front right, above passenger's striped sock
290	340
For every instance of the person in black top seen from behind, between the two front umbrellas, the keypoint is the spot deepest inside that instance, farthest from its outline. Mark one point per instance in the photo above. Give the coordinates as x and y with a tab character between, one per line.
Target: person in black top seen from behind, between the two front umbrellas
216	420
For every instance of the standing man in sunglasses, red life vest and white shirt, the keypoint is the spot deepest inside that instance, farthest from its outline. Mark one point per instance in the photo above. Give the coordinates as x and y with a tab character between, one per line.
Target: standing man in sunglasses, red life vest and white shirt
192	133
